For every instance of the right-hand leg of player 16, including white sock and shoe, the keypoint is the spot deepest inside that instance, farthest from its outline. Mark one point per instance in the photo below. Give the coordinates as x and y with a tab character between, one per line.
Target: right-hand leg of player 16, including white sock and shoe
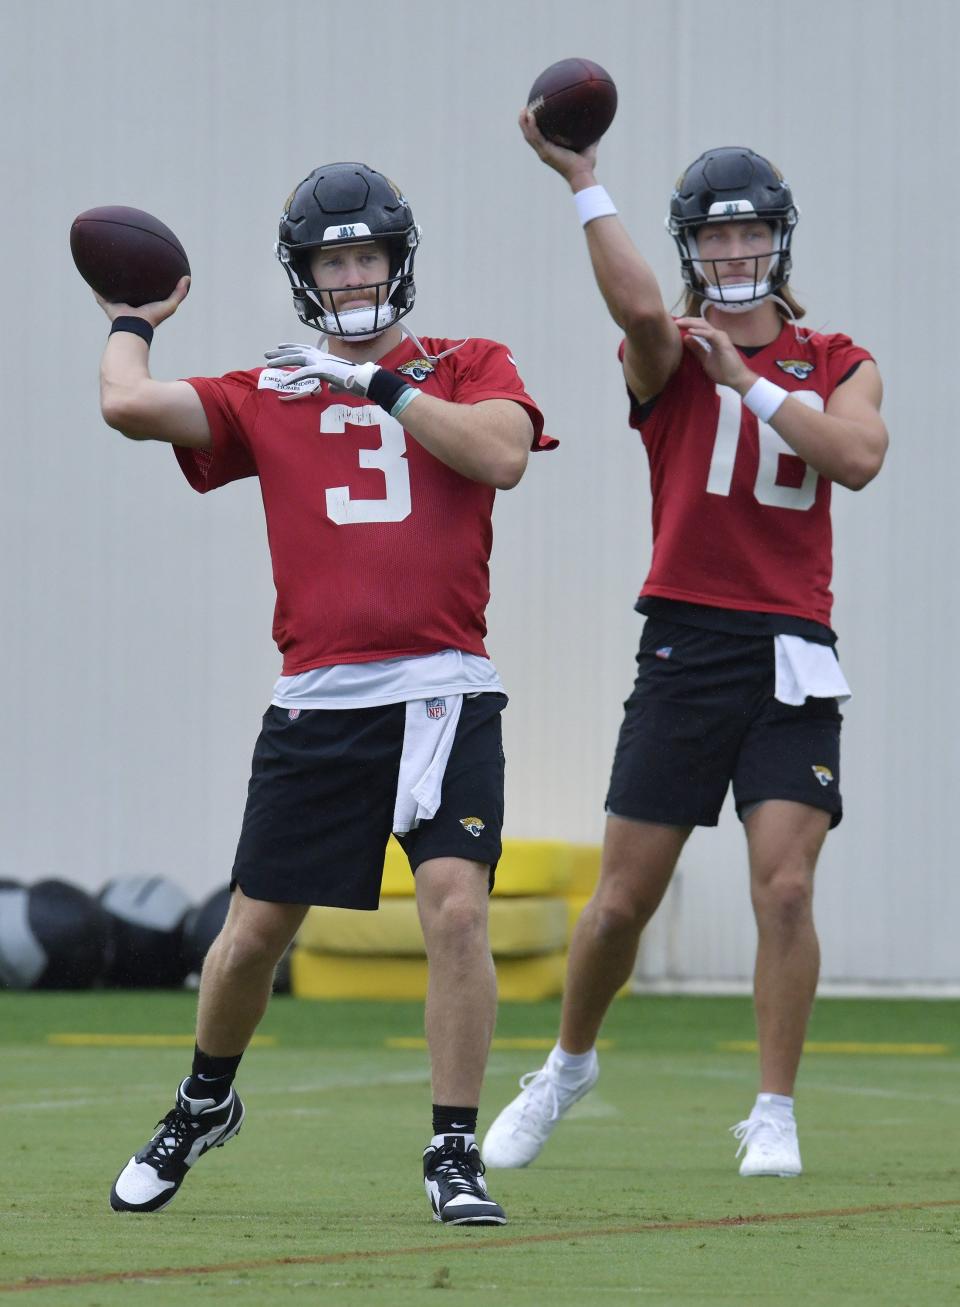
784	841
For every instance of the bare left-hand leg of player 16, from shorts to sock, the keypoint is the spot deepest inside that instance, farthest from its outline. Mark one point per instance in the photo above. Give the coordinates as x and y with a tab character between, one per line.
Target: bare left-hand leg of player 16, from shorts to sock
638	863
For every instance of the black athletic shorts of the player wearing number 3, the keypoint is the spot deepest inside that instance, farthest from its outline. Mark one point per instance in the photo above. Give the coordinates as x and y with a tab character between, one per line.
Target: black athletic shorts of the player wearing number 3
322	797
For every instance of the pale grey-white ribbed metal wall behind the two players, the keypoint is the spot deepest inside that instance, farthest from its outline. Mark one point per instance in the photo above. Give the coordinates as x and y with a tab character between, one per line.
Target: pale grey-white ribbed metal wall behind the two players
138	655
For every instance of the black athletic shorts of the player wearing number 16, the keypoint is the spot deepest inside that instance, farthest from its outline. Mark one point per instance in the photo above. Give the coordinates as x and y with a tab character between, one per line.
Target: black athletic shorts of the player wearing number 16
702	717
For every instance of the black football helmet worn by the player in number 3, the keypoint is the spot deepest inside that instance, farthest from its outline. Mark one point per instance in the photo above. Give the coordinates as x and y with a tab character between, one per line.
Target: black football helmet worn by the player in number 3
343	205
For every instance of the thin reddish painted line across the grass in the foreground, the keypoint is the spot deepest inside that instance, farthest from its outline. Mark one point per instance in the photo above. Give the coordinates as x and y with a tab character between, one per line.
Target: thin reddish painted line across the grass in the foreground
373	1254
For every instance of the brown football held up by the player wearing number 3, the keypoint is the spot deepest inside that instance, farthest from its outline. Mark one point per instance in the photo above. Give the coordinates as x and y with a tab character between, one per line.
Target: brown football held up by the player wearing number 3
126	256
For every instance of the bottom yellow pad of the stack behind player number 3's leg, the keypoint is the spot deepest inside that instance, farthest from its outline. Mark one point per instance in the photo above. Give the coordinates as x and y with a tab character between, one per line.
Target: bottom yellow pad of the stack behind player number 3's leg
318	976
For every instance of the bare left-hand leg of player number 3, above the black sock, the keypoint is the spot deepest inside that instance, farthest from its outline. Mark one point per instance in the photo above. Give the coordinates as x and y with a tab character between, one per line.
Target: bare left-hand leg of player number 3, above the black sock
237	980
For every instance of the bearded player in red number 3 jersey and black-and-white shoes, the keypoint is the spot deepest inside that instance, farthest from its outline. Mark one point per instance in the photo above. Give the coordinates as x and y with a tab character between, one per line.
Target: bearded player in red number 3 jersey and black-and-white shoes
378	458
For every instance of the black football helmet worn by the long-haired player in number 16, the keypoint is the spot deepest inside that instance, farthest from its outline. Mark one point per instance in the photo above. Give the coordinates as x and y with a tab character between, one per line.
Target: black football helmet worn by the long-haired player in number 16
733	185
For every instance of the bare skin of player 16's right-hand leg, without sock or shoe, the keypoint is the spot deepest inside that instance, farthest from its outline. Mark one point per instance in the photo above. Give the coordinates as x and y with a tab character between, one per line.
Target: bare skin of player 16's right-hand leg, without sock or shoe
784	841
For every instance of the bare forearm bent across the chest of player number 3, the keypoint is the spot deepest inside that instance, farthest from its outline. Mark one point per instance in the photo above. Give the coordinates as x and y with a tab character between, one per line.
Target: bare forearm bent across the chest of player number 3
484	444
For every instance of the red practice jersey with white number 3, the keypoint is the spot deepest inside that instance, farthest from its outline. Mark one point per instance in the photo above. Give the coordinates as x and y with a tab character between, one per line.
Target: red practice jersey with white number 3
379	550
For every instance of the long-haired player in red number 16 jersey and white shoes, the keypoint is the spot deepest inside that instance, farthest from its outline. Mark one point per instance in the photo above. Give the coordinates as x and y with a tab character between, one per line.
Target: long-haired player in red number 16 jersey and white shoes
748	422
